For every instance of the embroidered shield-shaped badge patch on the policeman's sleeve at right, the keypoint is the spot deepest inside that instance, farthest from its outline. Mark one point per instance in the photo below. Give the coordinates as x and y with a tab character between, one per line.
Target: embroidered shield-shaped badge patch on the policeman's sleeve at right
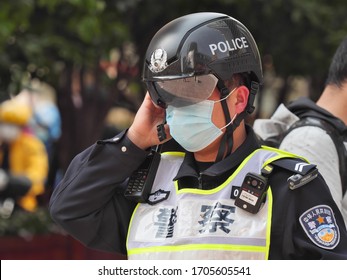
320	226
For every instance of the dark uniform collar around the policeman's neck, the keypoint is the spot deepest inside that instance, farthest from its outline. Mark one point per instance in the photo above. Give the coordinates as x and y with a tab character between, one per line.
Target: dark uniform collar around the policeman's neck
189	166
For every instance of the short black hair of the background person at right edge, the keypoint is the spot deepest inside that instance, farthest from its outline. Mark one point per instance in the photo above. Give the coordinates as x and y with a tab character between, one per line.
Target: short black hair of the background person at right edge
338	68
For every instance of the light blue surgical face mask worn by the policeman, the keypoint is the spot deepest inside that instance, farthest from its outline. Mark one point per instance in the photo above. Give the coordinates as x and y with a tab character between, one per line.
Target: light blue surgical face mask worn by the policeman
192	127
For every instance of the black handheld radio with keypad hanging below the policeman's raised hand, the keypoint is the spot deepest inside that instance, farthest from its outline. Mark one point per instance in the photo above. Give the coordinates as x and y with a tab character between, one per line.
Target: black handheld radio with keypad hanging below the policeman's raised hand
141	181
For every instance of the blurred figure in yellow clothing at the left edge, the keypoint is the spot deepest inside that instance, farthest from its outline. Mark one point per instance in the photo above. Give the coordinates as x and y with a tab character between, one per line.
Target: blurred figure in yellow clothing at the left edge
23	160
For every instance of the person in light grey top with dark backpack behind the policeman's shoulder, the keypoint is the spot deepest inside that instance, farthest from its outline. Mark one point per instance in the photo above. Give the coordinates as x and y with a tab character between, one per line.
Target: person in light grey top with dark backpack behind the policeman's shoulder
317	130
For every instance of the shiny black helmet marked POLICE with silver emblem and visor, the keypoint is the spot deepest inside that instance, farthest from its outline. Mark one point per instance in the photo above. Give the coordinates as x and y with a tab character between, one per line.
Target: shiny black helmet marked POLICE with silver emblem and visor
202	47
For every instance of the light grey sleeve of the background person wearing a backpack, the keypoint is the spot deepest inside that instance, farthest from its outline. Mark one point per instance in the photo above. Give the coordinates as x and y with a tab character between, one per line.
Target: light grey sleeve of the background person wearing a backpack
315	144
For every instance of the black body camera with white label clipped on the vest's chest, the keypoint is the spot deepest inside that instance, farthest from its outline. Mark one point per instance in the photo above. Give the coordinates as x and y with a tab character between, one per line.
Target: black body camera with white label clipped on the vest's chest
252	192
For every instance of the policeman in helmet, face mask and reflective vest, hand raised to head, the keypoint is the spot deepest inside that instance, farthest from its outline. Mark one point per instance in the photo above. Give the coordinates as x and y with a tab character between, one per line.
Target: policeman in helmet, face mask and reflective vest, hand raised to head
219	194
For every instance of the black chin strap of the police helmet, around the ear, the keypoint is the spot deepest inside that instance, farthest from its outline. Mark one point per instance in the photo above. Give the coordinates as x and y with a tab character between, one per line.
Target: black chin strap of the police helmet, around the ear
227	141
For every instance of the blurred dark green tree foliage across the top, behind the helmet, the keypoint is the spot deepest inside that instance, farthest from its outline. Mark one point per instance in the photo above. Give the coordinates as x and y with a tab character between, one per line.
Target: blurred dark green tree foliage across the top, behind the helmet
39	37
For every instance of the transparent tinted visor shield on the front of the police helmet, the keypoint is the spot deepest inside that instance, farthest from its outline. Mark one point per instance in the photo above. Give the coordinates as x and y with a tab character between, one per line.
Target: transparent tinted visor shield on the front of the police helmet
182	92
